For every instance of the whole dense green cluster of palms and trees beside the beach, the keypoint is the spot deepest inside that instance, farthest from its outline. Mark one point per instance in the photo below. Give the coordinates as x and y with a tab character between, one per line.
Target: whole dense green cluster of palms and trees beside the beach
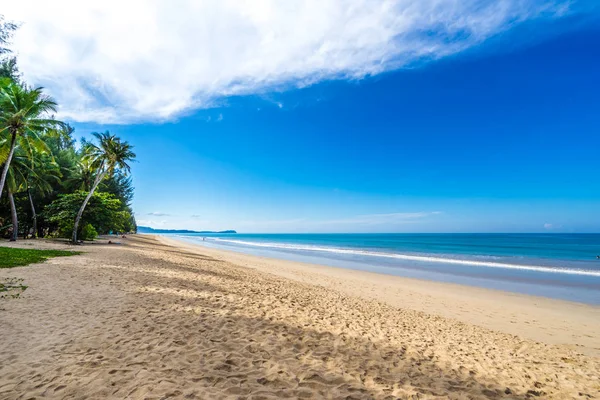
50	183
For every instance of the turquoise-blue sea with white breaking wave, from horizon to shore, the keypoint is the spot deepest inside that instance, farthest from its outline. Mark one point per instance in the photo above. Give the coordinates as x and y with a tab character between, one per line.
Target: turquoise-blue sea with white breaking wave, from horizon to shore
563	266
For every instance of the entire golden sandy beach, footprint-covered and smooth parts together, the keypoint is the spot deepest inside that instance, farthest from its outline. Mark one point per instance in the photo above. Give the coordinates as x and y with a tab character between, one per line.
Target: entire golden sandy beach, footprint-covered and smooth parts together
151	318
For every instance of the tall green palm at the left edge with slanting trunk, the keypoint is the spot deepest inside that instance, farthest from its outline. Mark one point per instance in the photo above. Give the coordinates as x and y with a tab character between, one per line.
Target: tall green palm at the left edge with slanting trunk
22	112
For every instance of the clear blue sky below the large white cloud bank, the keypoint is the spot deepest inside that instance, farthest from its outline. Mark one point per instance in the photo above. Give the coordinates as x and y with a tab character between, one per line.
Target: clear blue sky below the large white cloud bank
500	134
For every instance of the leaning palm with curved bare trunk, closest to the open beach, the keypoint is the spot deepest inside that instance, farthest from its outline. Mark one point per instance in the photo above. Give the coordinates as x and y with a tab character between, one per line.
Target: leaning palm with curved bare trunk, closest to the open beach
111	153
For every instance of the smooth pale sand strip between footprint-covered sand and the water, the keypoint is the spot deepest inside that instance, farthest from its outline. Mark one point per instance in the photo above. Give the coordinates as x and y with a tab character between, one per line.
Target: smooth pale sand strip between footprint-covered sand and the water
537	318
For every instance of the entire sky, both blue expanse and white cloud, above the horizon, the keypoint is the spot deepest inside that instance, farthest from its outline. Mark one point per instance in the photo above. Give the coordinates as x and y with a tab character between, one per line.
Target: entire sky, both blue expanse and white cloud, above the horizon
335	115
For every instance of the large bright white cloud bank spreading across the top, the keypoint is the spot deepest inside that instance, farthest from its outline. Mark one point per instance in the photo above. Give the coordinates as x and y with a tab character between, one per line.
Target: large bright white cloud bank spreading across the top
137	60
